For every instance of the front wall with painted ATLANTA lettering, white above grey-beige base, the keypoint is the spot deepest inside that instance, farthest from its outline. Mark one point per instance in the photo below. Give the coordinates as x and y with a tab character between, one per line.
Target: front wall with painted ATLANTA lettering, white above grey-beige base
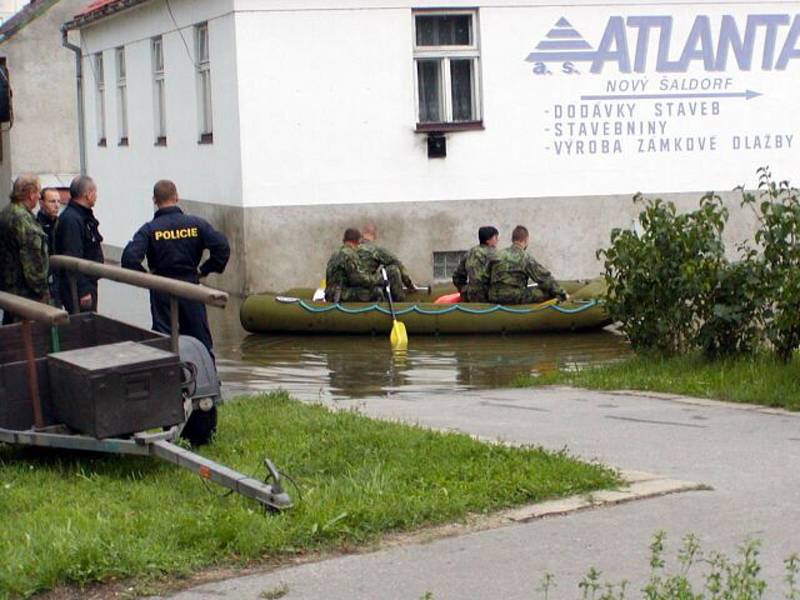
328	107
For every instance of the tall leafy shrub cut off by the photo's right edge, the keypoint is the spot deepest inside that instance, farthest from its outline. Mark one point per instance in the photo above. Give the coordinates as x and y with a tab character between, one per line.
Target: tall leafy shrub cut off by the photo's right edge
777	206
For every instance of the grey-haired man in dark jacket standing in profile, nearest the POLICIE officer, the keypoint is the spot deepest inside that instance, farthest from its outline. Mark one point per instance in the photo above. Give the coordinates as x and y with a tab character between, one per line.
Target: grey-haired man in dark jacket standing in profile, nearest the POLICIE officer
78	234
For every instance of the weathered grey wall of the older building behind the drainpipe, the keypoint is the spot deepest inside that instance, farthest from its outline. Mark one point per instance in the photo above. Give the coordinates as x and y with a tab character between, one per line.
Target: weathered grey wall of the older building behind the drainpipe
44	137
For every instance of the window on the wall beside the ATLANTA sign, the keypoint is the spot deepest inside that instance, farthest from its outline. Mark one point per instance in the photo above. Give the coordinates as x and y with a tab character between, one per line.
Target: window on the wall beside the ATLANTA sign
447	64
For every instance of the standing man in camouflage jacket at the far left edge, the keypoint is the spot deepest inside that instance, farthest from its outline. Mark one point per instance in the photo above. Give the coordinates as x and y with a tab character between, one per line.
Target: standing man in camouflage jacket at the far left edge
23	246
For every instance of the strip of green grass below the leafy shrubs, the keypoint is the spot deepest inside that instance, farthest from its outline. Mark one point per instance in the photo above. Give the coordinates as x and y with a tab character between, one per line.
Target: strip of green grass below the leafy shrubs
758	380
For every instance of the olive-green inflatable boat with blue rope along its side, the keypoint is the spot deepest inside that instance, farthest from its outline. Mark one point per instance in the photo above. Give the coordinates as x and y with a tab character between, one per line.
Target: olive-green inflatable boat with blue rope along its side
294	311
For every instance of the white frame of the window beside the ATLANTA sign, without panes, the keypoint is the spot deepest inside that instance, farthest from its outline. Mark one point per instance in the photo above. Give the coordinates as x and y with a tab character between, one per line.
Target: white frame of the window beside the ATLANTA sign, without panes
444	55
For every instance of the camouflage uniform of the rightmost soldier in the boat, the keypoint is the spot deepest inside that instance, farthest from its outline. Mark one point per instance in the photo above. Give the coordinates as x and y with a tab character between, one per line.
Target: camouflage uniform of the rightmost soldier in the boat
510	274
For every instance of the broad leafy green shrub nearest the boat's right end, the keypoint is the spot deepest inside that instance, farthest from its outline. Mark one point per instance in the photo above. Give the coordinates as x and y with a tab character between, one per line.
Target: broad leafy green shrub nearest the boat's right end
662	284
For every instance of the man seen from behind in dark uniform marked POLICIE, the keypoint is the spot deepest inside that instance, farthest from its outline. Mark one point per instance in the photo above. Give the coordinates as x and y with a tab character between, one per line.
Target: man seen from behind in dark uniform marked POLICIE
173	244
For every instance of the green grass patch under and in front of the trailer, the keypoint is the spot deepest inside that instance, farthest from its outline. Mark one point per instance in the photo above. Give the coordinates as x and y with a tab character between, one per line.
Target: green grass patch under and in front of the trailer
79	518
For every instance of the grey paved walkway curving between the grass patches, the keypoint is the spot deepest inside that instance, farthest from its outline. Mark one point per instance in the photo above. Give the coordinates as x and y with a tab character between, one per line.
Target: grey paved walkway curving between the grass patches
749	457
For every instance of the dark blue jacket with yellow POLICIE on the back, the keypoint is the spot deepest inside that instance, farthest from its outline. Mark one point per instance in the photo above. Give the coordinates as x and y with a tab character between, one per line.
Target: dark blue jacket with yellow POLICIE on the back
173	244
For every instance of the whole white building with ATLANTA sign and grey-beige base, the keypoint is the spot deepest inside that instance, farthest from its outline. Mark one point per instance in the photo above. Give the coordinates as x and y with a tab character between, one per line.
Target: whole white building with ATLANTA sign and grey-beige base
284	121
